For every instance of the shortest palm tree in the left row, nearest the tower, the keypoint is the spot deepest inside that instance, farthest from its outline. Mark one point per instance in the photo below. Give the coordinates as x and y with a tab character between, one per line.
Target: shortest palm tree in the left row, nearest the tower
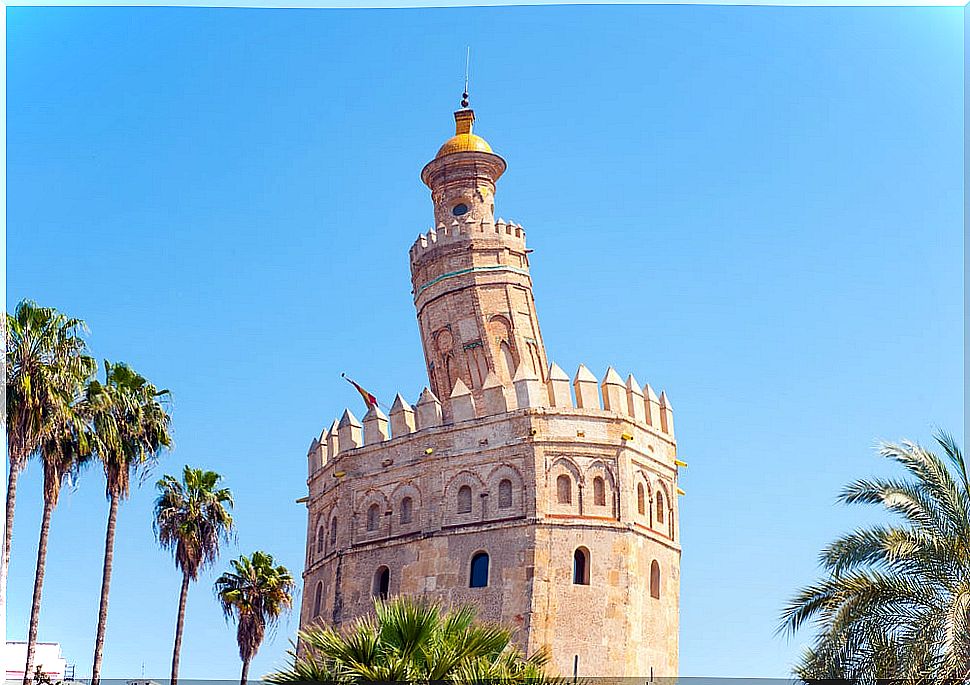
255	593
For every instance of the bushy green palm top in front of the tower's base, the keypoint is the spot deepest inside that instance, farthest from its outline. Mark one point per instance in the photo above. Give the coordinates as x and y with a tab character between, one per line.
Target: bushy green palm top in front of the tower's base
413	641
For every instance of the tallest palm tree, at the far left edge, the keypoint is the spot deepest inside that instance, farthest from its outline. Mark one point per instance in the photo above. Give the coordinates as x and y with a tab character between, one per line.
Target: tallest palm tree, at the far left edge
46	360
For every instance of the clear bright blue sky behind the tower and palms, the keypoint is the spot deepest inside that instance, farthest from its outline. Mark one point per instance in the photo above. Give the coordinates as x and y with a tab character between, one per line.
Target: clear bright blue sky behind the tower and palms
757	209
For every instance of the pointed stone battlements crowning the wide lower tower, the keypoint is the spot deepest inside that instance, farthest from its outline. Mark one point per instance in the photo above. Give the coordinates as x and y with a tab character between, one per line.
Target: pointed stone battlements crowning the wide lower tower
584	394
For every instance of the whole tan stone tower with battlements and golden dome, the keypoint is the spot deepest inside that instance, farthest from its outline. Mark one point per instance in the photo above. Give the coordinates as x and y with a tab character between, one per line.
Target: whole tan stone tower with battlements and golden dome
550	505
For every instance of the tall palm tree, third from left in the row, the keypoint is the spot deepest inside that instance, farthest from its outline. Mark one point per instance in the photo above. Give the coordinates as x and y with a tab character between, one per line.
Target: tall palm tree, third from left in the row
129	426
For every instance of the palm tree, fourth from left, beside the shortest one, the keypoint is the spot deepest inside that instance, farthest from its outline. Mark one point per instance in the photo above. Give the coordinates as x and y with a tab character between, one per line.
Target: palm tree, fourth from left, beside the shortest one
192	519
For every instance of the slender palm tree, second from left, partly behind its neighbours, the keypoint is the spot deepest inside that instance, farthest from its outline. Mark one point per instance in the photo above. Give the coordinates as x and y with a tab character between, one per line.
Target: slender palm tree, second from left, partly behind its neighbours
63	451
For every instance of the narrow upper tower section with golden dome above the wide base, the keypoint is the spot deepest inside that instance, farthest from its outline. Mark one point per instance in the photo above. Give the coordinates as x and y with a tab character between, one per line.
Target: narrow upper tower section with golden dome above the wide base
470	274
